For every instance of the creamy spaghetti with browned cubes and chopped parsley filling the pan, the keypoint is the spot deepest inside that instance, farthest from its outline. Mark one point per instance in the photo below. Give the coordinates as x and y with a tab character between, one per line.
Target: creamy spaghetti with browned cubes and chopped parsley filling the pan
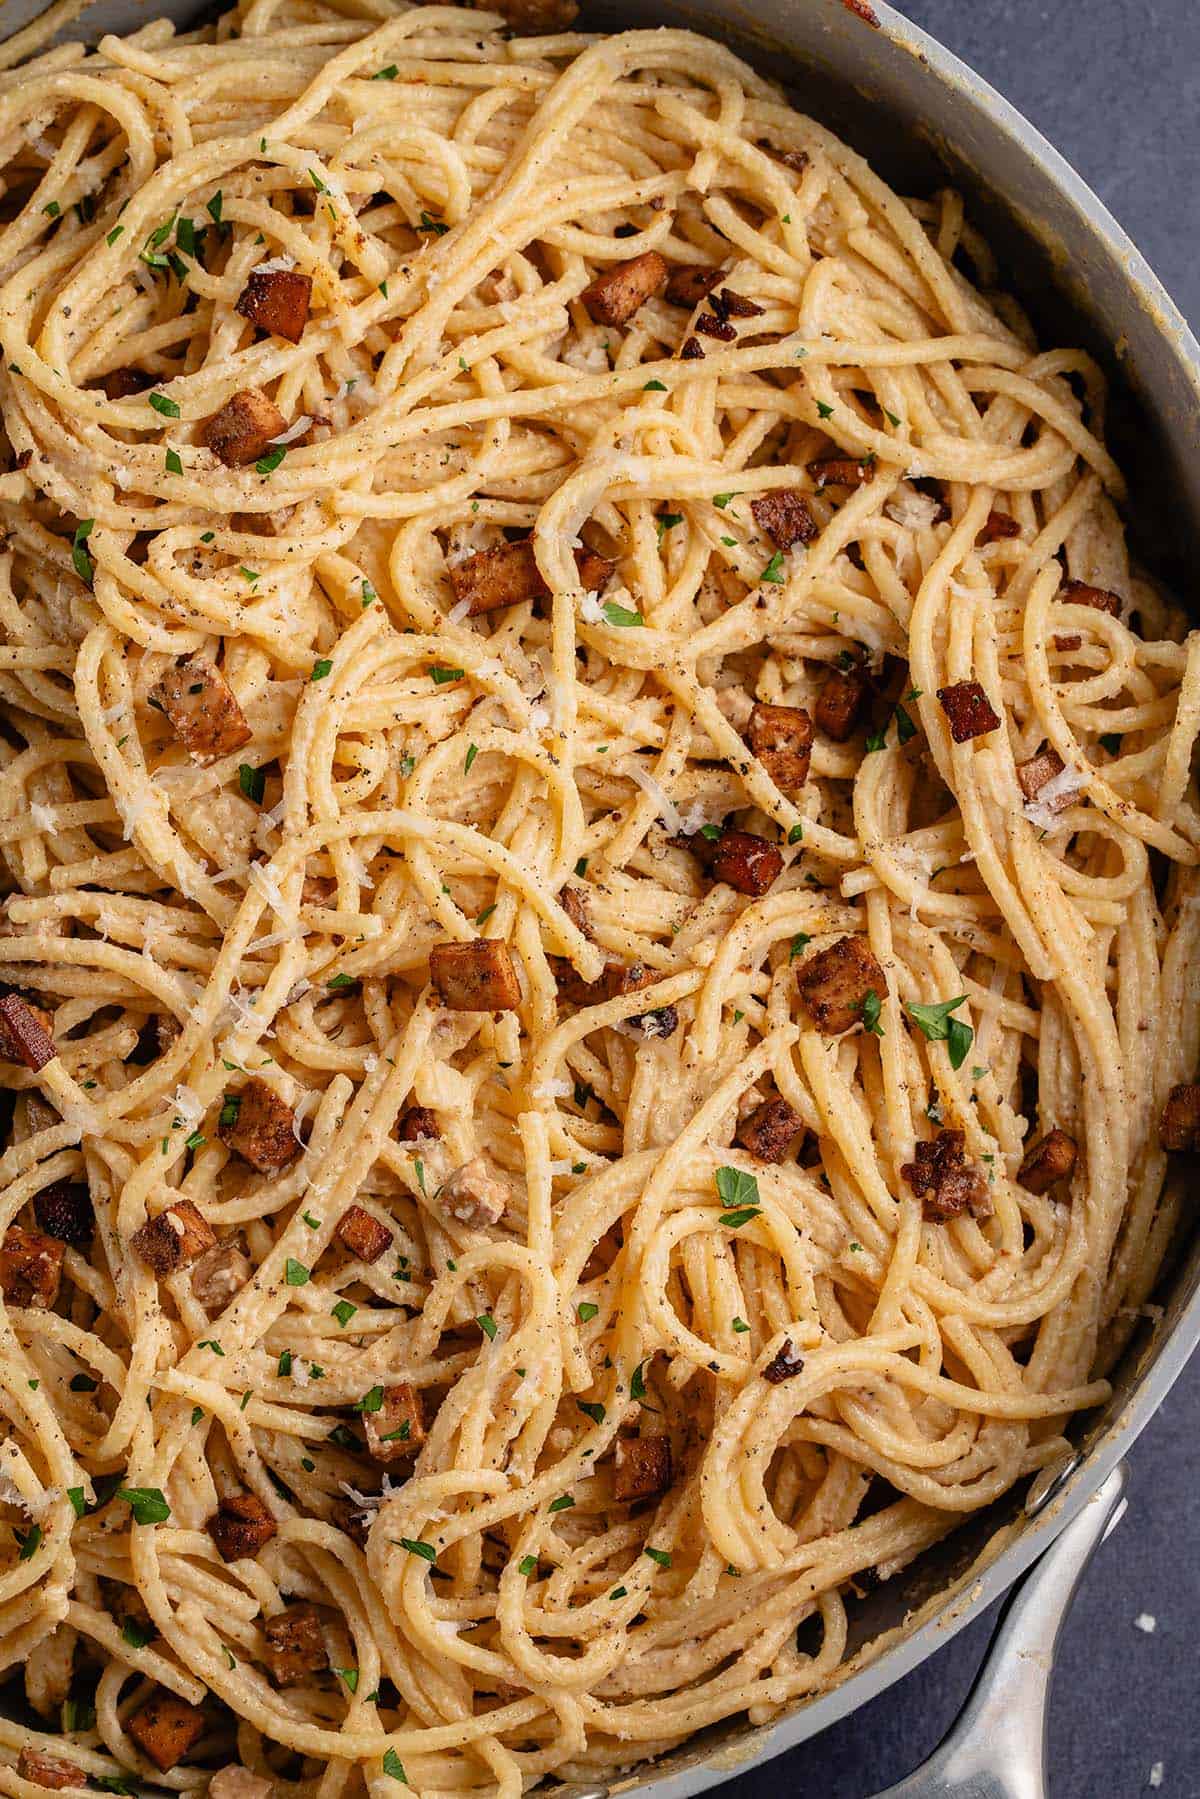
602	917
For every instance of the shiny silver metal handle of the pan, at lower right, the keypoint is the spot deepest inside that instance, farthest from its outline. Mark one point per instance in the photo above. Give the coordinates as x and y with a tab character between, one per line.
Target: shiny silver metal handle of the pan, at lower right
998	1746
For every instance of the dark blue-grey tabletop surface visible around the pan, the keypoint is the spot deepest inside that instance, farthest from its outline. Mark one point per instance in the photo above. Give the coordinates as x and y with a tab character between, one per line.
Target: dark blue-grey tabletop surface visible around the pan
1116	87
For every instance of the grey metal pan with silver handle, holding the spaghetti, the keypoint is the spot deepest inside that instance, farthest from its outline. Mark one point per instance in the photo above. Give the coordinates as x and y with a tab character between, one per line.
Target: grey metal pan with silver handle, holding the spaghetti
924	118
